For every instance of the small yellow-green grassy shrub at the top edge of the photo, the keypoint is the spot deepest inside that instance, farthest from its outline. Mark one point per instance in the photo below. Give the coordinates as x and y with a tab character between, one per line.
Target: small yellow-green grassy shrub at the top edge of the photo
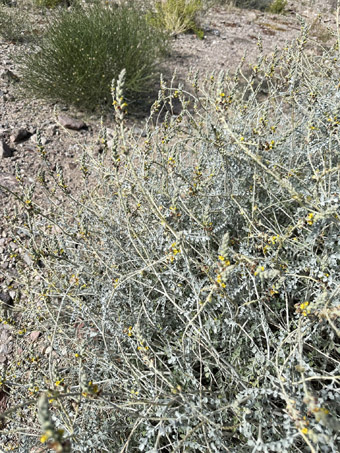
176	16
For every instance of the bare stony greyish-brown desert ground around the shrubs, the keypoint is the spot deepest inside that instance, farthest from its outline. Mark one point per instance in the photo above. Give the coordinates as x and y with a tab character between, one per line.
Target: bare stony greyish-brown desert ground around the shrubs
229	34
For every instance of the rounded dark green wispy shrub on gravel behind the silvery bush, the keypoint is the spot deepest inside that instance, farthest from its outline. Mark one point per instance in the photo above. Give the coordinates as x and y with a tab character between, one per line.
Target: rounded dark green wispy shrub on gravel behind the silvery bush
85	48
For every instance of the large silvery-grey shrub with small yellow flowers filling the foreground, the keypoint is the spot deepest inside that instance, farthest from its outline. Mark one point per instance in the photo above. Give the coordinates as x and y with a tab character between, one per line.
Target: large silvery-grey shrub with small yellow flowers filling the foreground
188	297
